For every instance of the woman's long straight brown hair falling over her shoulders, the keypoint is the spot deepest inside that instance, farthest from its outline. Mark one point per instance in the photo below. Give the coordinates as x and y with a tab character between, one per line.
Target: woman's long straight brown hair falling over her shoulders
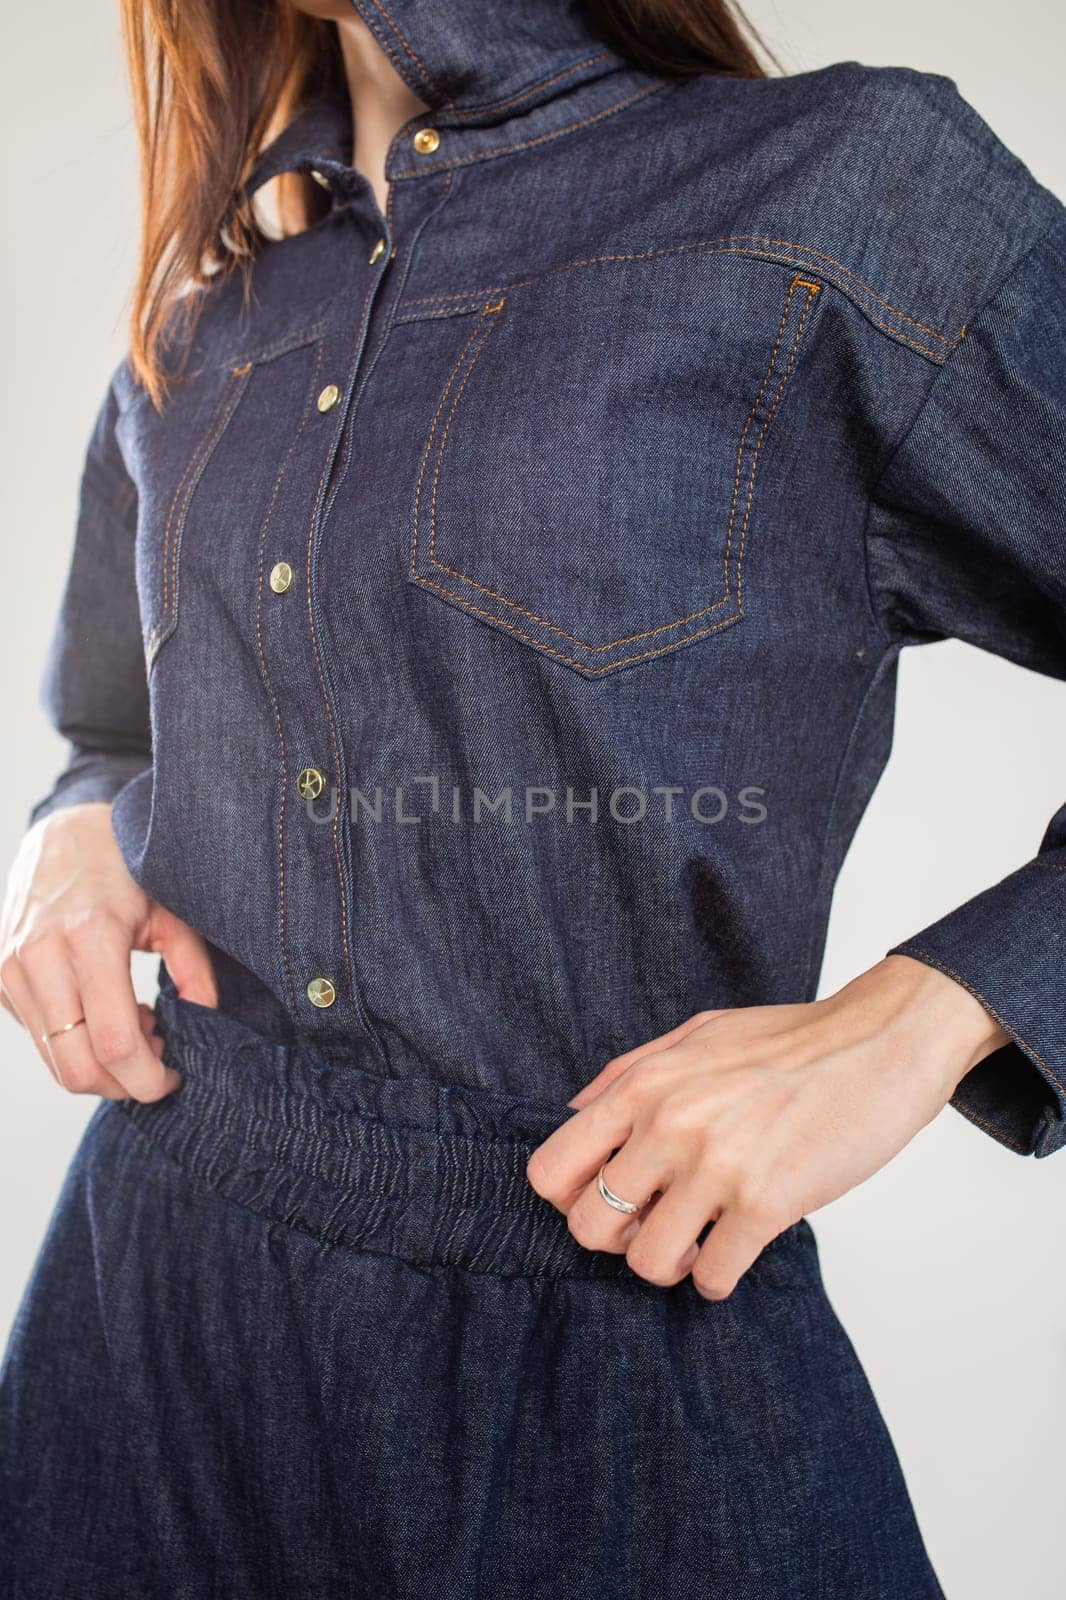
214	81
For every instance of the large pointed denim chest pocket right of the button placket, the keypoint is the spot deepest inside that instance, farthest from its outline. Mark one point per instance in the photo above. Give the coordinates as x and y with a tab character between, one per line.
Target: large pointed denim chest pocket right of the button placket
596	458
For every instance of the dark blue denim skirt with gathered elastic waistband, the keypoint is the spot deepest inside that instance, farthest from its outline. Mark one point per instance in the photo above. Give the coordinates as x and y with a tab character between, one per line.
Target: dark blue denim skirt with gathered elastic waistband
305	1332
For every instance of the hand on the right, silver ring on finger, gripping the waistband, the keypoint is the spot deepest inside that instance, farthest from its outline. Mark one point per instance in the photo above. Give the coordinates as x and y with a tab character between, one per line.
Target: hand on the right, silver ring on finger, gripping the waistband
758	1116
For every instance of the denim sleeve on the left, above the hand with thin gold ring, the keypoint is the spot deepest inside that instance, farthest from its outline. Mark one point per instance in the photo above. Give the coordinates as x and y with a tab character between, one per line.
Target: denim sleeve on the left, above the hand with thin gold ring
95	687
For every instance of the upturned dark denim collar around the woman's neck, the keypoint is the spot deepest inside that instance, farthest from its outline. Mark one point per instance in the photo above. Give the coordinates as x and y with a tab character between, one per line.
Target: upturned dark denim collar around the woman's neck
495	79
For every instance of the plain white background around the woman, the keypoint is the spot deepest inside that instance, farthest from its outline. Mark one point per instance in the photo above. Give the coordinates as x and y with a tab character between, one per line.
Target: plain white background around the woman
950	1266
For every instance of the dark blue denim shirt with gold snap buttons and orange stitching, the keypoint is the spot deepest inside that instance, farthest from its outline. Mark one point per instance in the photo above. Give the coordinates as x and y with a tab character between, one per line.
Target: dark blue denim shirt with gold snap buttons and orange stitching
492	647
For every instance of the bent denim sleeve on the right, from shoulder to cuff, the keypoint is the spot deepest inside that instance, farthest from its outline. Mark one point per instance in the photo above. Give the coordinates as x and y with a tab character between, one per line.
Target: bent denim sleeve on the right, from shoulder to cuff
968	540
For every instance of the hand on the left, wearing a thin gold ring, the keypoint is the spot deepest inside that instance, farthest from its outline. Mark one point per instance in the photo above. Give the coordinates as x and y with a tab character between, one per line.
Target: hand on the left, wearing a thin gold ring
71	919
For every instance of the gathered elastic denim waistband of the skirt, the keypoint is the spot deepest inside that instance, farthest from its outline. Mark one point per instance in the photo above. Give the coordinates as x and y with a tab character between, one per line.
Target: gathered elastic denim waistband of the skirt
412	1167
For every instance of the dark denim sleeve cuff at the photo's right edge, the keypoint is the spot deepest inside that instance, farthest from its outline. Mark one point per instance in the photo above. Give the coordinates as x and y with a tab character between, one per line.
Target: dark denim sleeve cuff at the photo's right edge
1008	948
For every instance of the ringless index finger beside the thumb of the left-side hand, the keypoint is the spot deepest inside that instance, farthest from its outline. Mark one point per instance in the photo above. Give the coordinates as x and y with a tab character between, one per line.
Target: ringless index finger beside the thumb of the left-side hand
113	1015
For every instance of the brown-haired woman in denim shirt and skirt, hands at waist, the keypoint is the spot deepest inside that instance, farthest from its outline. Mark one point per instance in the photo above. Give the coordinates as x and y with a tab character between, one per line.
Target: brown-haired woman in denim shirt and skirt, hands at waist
478	654
